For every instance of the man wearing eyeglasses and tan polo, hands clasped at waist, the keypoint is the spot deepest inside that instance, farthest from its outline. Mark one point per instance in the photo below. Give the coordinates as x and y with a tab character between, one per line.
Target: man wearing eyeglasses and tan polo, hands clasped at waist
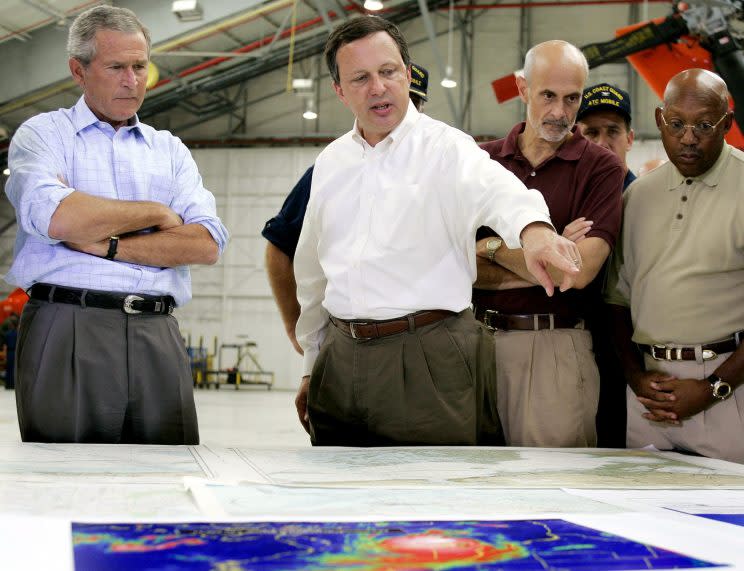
677	281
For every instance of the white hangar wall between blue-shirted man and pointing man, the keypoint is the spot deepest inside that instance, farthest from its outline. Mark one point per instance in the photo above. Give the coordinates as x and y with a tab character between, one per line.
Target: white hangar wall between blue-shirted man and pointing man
232	300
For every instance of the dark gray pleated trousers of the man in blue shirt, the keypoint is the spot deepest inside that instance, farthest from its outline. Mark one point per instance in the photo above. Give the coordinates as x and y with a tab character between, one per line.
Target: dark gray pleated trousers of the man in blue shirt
100	375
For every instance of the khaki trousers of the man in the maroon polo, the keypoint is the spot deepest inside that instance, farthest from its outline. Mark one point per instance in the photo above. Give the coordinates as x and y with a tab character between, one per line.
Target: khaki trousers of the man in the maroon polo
547	387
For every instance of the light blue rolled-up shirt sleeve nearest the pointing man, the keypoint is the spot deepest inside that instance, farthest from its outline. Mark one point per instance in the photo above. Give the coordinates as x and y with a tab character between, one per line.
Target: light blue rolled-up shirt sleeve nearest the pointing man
194	203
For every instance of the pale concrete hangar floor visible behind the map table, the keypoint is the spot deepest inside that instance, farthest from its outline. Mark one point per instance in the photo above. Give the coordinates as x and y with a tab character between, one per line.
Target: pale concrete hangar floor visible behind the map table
249	416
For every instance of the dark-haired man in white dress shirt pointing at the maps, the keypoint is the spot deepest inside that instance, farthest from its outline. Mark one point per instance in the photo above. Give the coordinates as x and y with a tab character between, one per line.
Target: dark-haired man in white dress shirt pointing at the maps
386	262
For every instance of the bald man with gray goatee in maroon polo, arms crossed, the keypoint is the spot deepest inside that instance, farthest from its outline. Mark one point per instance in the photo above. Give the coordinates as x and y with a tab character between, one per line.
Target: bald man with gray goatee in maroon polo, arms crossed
547	379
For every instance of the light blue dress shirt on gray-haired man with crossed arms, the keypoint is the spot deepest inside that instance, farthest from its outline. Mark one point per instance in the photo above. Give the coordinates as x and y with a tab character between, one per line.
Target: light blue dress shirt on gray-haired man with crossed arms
53	154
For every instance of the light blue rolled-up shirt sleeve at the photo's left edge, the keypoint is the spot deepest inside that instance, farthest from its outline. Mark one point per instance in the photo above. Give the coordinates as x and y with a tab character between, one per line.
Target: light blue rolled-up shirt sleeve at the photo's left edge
36	184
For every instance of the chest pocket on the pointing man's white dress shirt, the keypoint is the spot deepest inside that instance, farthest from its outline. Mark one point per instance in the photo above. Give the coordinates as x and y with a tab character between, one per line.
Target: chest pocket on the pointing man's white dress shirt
398	217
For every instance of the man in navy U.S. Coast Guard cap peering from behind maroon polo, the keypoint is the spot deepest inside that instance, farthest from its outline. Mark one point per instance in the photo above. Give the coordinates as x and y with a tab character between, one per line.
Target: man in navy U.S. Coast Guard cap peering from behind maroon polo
604	118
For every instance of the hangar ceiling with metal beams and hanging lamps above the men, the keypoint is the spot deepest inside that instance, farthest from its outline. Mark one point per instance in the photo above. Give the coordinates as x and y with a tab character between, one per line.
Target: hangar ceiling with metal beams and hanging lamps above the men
208	67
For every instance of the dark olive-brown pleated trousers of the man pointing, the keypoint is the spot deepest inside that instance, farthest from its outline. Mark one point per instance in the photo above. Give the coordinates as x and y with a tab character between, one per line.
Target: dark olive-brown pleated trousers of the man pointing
431	386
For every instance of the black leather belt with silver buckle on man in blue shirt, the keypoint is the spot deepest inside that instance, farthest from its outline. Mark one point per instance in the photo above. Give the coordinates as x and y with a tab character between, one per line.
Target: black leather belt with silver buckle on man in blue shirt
128	303
